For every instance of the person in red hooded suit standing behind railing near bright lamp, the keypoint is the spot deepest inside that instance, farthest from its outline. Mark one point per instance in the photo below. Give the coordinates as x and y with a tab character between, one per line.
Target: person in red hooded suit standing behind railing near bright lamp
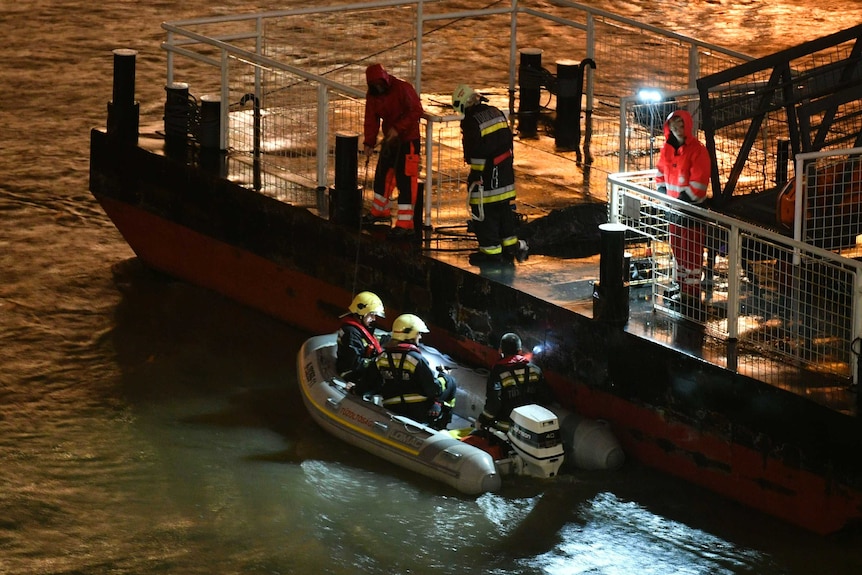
684	169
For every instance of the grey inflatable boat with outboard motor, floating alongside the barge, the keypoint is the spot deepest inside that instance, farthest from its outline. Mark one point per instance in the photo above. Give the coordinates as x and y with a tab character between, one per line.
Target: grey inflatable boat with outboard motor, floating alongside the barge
538	443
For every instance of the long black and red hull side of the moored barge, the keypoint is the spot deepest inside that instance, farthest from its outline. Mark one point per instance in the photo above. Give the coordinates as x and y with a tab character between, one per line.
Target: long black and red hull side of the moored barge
754	443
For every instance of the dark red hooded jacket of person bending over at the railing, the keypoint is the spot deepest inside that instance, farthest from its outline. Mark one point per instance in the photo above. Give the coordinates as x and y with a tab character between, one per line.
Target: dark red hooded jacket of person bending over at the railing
399	108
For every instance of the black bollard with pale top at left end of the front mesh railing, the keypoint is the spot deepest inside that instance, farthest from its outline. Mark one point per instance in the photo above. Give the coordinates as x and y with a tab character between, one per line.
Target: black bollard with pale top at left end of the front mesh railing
611	292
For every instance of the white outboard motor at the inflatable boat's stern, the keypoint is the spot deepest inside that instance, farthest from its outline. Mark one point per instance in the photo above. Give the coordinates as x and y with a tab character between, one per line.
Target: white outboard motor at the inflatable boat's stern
535	436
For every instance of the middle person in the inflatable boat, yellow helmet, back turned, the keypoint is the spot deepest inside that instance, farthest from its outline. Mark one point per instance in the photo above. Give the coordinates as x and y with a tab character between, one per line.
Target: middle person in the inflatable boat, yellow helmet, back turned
406	382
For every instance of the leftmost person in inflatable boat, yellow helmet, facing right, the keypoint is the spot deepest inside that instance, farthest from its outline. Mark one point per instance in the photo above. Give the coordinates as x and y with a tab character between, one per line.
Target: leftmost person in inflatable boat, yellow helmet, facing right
357	346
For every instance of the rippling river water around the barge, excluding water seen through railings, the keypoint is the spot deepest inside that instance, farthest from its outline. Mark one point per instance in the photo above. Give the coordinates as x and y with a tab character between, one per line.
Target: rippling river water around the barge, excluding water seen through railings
149	427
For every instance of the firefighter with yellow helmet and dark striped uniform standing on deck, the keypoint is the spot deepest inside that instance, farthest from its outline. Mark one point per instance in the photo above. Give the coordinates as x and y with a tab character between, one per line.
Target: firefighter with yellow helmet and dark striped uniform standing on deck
487	142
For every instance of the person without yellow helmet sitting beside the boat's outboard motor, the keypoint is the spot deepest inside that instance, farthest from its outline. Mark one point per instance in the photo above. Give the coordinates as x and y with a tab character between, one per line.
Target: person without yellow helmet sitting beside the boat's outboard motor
512	382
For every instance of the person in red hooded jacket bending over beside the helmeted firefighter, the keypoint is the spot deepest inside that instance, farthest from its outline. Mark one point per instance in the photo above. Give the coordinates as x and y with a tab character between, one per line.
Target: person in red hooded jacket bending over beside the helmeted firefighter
393	107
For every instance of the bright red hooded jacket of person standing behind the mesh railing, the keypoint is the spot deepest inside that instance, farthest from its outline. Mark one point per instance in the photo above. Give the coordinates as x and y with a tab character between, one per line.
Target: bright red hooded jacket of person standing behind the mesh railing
683	169
